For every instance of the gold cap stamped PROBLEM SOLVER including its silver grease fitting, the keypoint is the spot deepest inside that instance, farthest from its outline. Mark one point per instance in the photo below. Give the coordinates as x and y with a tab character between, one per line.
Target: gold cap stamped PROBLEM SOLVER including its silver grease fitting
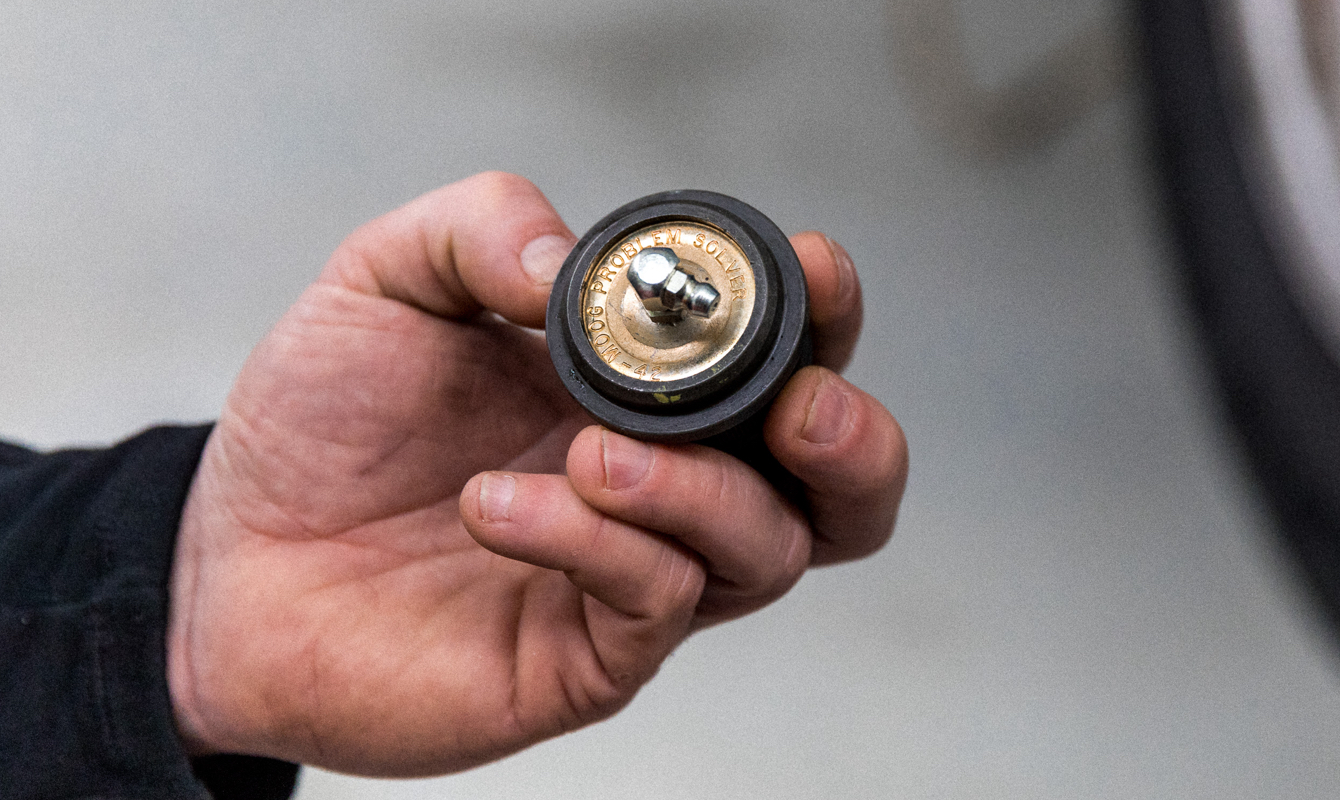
651	338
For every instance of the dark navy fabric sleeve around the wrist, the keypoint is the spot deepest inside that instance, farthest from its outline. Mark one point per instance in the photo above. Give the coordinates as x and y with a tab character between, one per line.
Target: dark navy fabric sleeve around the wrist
86	541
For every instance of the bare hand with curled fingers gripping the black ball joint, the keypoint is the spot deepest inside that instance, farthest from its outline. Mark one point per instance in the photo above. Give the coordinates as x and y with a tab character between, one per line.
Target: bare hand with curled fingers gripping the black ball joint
350	590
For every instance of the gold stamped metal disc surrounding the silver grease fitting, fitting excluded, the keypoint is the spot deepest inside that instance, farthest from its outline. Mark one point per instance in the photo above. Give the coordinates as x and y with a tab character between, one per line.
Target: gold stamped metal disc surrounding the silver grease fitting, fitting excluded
620	329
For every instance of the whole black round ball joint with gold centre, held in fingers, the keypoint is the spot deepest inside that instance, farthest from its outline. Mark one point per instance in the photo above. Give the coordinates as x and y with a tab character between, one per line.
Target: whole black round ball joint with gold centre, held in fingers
679	318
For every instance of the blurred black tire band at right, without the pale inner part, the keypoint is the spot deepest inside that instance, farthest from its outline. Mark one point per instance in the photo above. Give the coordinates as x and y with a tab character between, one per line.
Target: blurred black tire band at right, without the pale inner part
1279	380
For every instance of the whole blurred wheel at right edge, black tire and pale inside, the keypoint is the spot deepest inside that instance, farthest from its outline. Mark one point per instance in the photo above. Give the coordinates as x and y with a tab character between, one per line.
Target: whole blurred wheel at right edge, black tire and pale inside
1244	97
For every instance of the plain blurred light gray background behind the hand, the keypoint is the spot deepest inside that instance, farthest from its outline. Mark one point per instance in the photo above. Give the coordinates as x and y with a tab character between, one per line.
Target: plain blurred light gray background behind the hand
1083	600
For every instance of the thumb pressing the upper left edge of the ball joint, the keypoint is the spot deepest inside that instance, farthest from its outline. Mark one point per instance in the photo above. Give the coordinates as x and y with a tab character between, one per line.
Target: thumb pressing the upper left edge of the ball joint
490	242
